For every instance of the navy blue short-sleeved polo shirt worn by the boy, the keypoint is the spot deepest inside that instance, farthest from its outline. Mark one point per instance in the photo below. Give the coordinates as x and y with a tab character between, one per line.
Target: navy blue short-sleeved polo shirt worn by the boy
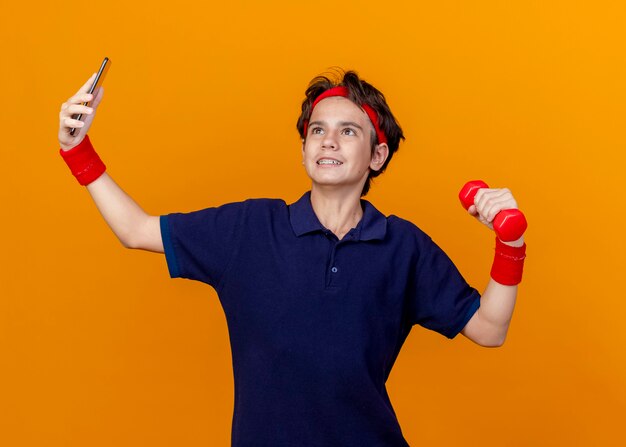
316	323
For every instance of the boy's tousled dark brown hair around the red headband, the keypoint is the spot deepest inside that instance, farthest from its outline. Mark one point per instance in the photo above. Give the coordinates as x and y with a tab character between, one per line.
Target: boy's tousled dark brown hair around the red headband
359	92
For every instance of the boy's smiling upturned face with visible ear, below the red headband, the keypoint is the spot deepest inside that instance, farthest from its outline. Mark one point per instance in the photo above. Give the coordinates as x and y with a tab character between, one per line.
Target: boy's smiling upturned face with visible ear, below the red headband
337	152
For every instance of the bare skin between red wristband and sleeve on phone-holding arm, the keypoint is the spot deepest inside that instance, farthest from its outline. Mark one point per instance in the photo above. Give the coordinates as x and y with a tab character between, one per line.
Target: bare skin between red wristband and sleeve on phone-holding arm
130	223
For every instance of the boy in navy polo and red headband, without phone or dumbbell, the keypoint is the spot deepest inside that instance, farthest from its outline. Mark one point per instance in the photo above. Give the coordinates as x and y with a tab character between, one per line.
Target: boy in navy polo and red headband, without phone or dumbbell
319	295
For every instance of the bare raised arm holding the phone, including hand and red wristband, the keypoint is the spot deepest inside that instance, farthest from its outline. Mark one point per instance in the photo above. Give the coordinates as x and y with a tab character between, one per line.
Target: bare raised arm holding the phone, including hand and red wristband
130	223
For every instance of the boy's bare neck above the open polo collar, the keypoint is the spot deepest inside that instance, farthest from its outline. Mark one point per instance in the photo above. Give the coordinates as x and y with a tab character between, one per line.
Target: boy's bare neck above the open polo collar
337	210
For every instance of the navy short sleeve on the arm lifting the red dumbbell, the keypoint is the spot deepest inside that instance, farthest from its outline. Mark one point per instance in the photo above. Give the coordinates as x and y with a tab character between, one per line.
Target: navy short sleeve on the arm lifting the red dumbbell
442	300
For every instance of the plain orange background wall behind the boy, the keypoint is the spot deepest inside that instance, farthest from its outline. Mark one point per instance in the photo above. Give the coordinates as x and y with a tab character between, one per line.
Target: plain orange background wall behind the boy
98	347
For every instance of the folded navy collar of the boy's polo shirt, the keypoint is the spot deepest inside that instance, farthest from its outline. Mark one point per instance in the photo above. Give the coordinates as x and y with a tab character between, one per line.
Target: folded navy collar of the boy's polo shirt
373	224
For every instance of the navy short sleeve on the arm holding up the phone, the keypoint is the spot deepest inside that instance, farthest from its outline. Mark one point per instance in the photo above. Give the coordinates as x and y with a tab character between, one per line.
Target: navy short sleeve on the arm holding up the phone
200	245
